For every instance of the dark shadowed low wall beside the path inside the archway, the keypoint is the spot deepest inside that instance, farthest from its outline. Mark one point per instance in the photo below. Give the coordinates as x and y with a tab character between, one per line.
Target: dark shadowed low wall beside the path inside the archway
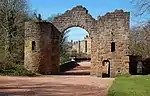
68	66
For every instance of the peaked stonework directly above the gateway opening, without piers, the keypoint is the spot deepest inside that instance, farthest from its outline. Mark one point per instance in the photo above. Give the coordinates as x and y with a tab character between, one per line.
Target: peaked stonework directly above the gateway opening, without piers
76	17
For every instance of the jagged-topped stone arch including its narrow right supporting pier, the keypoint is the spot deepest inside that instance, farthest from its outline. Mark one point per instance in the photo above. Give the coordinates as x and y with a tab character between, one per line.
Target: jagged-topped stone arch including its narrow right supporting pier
79	17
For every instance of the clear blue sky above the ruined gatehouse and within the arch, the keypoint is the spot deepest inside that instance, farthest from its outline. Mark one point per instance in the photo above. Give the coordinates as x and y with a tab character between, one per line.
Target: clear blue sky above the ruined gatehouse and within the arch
95	7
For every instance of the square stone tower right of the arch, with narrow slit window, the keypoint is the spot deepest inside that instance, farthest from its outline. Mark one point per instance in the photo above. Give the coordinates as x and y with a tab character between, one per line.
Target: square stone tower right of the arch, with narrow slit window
114	27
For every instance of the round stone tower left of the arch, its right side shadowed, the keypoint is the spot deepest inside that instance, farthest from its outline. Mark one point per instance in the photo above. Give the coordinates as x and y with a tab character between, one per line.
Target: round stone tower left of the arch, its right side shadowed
44	58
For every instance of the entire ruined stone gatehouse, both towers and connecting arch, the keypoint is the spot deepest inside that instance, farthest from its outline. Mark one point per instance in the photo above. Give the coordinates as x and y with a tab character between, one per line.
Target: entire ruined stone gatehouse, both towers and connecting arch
109	42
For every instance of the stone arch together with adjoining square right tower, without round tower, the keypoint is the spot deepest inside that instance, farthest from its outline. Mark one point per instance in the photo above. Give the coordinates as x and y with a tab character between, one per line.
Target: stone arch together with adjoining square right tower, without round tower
113	27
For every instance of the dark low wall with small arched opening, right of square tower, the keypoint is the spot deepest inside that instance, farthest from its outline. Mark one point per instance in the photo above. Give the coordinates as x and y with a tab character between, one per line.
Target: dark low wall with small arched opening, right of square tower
139	66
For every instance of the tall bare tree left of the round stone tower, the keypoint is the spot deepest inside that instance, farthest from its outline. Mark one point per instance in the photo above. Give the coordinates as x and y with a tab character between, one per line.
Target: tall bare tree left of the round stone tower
13	14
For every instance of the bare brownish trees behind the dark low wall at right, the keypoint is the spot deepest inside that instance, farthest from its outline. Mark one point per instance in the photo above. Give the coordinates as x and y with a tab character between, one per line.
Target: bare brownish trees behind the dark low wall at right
140	40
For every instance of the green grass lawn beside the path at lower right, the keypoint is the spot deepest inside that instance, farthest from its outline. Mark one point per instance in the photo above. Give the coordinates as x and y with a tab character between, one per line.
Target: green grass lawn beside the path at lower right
130	86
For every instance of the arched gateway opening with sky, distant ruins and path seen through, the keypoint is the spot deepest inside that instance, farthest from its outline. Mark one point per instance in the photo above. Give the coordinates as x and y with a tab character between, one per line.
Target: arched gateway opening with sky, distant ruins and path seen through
78	51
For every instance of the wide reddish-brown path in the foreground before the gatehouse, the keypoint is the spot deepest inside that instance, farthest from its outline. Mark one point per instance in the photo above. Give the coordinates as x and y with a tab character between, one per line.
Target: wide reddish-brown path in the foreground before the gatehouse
54	86
